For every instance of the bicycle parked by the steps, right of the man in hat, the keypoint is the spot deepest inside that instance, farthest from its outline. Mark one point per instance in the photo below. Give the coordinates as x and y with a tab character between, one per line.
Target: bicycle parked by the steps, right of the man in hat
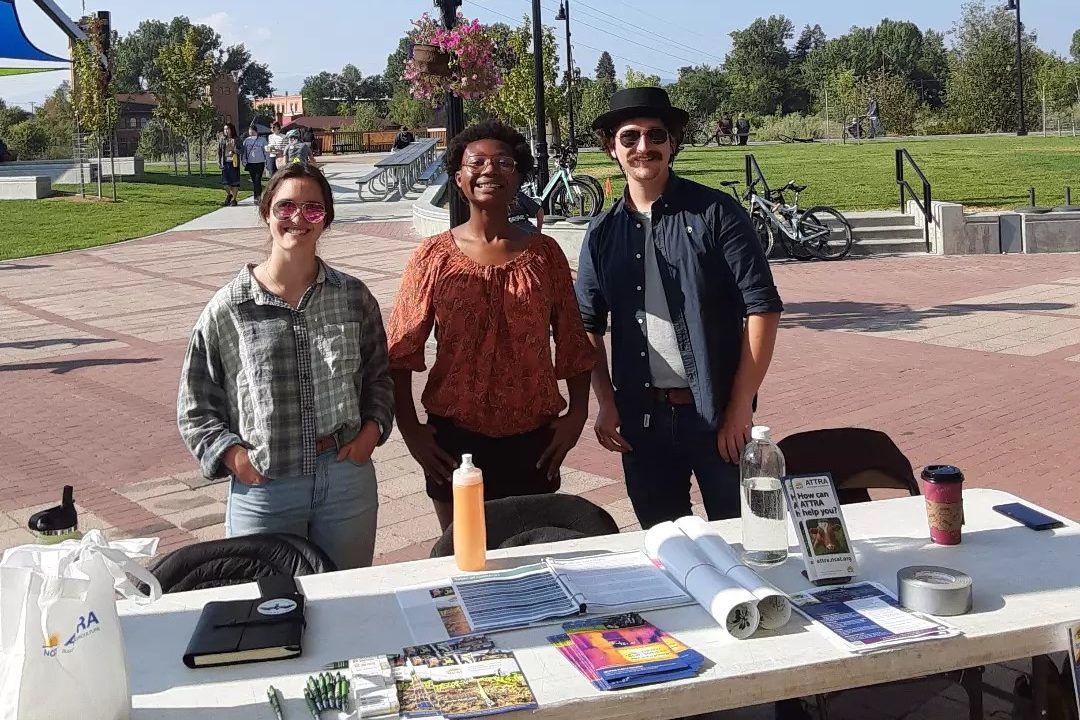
820	233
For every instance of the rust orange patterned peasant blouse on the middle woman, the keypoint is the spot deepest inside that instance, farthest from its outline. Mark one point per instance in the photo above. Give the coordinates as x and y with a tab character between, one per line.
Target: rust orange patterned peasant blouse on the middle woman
494	372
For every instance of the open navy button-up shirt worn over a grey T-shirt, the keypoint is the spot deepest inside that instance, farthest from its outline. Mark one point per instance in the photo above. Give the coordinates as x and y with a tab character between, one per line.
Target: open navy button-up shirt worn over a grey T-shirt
714	274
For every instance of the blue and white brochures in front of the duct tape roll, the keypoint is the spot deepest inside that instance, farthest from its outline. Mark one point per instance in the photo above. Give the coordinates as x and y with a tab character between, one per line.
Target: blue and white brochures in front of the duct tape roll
866	618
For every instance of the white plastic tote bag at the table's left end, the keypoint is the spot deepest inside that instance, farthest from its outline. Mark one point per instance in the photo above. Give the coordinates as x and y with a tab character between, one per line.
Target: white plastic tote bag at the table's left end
62	651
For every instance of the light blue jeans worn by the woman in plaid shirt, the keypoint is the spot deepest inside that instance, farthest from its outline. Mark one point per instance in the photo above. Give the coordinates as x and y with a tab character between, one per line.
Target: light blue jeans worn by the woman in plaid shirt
336	509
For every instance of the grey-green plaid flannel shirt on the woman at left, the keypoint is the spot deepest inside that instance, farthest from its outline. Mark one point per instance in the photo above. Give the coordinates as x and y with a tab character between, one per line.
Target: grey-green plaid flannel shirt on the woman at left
274	379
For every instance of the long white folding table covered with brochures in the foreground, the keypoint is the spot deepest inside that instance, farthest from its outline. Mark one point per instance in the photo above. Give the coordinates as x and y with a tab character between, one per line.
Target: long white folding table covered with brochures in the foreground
1027	591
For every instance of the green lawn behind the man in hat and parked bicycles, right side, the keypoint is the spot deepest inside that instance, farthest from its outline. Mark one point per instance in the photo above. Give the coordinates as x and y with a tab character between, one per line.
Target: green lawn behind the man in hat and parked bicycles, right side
980	173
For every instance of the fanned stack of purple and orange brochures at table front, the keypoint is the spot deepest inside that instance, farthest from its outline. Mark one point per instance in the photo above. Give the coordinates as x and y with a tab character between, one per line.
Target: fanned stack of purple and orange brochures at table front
625	651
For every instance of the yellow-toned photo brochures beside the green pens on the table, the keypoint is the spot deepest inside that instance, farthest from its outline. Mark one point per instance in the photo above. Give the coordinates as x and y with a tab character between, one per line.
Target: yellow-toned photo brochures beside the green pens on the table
462	678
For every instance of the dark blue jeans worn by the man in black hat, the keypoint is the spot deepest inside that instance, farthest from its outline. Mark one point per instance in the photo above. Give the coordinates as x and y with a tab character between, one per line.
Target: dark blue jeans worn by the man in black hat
666	454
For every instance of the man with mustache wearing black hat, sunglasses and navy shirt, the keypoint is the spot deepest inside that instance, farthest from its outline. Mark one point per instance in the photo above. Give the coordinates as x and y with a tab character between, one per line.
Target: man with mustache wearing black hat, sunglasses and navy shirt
694	316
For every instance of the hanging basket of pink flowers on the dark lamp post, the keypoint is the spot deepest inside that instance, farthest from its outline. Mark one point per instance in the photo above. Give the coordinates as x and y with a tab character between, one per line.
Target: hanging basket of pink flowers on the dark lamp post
457	61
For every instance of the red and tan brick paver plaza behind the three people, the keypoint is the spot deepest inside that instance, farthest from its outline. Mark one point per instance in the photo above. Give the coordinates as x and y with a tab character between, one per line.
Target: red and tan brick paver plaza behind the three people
966	360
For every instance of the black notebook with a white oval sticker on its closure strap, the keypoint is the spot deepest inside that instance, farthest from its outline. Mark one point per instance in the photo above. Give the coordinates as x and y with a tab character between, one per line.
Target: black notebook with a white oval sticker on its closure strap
233	632
